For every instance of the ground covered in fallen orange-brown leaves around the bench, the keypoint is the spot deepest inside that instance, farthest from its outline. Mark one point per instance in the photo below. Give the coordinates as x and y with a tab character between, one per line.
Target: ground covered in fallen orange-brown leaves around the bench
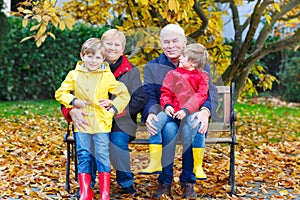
32	158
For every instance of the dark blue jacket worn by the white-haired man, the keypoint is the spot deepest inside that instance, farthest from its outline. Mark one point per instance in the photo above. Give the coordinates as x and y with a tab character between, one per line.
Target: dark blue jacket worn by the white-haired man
154	74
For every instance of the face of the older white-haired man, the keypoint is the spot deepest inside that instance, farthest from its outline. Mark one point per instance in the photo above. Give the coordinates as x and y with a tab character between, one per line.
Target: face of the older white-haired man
172	44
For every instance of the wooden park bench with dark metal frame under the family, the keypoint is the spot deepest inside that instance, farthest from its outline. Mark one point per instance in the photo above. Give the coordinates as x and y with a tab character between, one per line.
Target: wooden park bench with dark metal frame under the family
221	130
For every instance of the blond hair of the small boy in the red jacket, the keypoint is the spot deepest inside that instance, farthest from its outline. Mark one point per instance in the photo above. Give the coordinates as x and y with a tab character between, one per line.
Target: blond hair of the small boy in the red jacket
196	53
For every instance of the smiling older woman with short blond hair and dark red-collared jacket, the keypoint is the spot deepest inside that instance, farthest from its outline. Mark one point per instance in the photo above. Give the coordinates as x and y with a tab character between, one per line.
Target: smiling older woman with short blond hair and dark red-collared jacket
124	125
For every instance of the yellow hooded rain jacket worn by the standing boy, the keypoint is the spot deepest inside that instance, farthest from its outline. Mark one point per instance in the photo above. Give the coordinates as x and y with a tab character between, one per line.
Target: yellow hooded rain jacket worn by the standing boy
91	87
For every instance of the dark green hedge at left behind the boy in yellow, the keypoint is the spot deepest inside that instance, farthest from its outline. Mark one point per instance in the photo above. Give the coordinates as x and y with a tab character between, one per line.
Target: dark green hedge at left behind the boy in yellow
28	72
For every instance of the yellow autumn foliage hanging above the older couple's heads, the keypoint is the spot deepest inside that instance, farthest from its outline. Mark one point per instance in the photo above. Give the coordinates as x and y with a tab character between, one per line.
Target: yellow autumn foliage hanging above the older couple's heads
138	14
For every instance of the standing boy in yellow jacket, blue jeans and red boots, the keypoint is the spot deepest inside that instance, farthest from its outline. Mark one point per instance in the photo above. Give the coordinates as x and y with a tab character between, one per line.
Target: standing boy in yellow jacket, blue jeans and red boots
85	87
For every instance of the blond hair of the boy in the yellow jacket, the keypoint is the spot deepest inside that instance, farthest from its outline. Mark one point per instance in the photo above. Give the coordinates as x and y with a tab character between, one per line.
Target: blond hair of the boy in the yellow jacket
91	46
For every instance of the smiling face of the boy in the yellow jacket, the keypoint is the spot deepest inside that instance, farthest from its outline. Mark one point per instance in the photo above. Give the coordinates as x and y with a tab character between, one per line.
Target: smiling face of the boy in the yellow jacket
92	61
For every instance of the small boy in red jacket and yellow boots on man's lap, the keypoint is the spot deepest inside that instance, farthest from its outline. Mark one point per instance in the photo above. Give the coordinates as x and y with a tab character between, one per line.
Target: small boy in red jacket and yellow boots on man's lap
183	92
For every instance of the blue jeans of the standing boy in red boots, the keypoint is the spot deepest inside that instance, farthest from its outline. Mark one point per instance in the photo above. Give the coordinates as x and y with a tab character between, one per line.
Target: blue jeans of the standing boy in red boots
90	146
